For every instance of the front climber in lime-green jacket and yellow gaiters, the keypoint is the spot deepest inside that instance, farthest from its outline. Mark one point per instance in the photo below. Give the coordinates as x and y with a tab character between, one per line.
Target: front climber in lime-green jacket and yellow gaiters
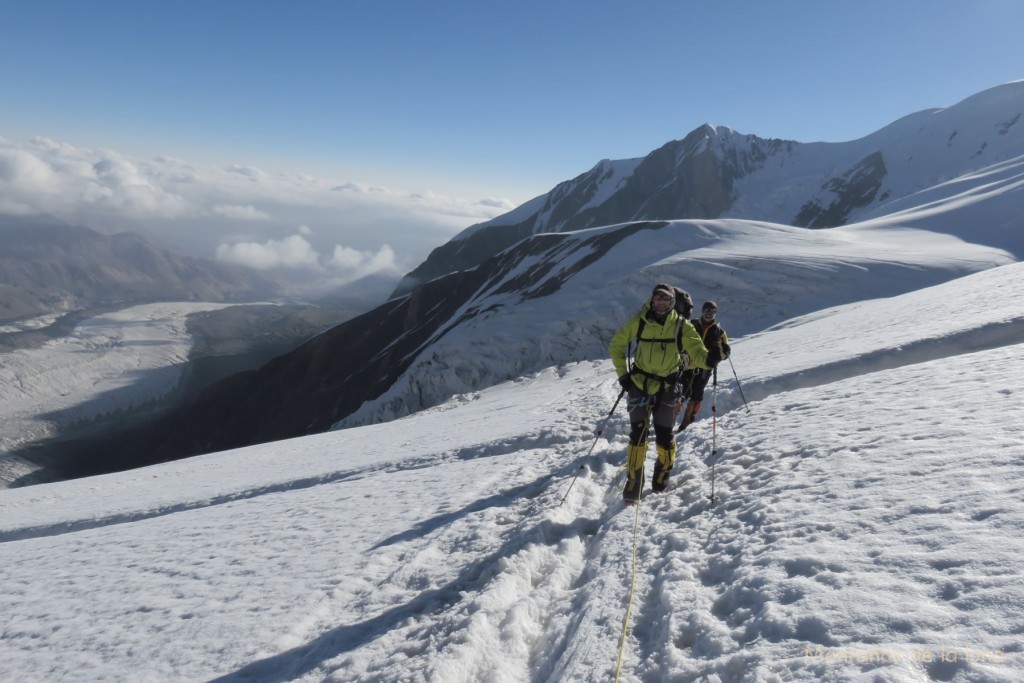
667	345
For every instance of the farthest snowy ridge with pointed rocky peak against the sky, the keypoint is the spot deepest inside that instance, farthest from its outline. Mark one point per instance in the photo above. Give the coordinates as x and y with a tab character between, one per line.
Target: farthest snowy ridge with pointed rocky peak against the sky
717	173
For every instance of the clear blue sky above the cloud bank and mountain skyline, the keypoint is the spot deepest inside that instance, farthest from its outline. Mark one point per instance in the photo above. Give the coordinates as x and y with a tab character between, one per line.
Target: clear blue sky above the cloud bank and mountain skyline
487	99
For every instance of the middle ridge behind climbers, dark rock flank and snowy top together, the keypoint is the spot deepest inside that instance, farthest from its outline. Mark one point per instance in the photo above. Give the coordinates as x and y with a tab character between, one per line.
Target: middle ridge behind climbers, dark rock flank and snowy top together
534	307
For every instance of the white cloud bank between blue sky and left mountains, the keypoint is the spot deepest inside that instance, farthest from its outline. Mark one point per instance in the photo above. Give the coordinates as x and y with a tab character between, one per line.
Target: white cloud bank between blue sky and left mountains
319	233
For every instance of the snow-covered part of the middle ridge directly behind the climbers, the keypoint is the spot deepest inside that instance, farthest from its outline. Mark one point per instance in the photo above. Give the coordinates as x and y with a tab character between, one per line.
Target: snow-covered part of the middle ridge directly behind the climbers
759	274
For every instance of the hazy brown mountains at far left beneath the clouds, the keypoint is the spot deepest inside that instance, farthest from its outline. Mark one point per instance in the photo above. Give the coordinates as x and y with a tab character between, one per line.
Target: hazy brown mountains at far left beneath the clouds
50	267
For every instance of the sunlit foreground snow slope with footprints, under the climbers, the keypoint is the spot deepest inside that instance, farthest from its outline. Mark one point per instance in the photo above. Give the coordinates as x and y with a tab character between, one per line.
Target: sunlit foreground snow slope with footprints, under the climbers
871	527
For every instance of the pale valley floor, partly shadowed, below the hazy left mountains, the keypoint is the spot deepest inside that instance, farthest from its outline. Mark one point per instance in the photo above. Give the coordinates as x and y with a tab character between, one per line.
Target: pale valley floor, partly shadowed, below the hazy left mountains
77	389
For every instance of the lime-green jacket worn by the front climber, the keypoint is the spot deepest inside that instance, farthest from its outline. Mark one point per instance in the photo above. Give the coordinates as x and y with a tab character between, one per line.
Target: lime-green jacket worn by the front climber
657	357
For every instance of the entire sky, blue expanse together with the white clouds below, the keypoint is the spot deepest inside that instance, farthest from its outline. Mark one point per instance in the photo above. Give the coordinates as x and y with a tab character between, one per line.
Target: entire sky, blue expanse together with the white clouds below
335	140
